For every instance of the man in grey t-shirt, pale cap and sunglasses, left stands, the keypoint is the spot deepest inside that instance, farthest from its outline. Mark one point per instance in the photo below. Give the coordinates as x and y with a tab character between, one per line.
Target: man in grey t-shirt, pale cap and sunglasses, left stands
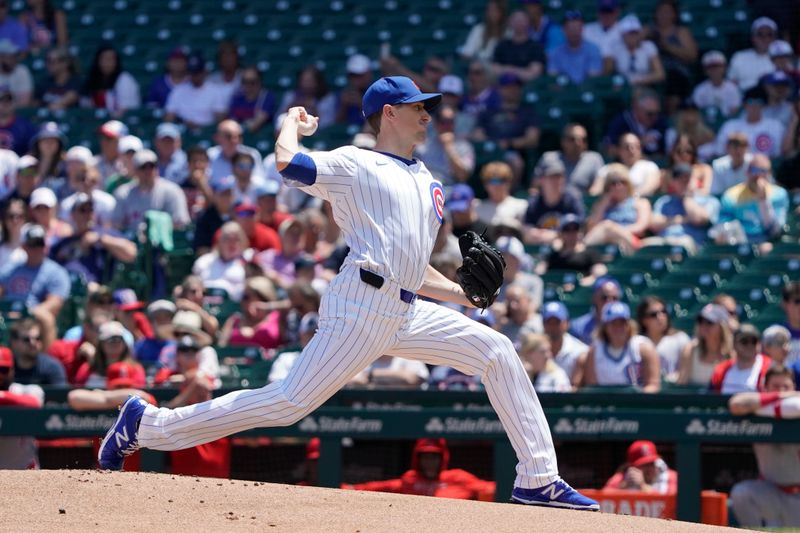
148	192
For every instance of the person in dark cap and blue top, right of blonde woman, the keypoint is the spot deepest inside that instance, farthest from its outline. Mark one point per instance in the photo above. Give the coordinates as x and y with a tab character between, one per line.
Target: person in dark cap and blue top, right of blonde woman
681	217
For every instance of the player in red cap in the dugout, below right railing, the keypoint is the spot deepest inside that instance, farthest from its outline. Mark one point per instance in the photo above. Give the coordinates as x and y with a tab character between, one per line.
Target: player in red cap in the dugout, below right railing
644	471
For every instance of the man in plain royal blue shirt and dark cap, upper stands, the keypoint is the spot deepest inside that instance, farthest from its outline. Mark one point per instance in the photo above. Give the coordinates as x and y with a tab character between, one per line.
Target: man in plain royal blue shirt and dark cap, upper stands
576	58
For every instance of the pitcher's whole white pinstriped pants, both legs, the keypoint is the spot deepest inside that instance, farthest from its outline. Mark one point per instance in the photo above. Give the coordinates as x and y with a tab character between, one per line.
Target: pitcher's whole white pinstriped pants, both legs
358	324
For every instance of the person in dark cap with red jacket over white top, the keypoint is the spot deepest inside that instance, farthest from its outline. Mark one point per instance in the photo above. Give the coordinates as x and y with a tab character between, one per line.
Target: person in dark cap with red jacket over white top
745	371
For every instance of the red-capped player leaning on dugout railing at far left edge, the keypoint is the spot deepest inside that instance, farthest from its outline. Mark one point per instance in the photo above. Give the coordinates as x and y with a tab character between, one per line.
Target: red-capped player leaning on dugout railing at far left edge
17	453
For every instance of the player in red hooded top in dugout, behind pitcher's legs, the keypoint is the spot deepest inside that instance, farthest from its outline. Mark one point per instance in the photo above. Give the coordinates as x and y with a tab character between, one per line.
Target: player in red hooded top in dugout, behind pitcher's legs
429	476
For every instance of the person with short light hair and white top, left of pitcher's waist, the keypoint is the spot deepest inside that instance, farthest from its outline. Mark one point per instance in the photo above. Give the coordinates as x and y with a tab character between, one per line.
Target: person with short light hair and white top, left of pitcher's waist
223	267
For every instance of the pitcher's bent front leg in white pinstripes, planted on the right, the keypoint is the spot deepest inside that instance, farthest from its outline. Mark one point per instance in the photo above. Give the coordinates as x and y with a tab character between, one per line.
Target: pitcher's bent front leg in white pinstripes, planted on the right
442	336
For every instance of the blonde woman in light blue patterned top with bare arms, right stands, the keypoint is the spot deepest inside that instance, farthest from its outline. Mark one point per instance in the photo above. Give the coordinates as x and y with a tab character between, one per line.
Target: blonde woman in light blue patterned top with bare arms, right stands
618	217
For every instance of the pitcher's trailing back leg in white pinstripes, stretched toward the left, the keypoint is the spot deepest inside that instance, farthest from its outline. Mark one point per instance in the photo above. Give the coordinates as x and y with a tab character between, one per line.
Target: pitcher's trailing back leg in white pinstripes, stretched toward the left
340	349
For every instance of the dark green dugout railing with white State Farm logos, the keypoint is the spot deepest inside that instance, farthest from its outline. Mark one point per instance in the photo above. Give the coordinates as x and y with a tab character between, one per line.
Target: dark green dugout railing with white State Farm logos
686	420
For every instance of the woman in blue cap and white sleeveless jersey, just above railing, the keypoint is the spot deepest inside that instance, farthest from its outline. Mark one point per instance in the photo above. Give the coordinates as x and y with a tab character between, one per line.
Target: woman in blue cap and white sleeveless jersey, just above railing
619	356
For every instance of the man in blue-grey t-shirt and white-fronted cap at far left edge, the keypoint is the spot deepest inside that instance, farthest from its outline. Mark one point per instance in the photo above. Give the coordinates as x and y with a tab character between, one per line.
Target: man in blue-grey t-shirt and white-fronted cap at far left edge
40	283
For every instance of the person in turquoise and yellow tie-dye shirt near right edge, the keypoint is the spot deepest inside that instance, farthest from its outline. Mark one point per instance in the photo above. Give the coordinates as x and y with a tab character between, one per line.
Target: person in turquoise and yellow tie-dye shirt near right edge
759	205
